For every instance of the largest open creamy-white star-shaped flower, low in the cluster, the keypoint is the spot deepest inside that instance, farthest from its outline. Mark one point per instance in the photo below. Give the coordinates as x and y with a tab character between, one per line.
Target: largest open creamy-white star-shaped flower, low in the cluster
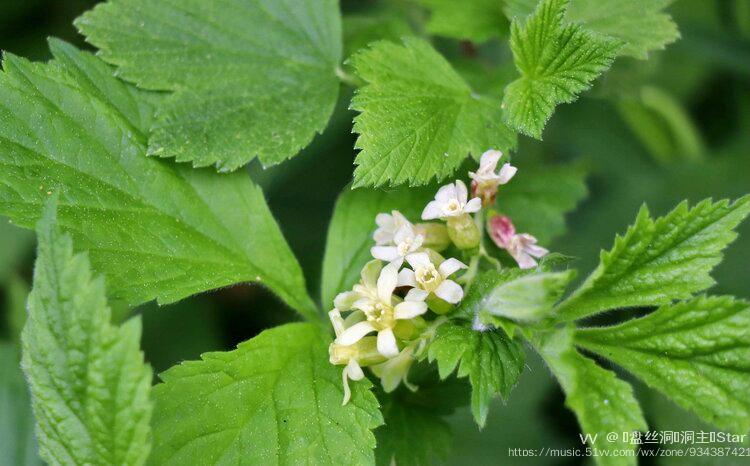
381	310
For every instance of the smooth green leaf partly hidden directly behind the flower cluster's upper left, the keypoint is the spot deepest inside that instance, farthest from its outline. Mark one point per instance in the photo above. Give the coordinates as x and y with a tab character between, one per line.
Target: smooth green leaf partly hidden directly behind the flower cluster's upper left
350	232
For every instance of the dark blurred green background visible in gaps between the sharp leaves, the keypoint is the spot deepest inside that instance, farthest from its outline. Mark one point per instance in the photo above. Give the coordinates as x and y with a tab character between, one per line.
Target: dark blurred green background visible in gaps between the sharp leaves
674	127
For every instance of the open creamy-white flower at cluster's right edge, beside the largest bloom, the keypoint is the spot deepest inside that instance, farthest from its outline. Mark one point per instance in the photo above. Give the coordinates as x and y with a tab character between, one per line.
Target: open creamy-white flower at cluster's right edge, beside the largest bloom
426	278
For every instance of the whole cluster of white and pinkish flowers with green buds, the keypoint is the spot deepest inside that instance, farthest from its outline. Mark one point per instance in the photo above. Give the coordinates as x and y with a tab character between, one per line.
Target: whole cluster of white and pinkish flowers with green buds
409	287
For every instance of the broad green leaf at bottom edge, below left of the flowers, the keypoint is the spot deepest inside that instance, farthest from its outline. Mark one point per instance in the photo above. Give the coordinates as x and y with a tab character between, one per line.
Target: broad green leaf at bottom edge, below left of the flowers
274	400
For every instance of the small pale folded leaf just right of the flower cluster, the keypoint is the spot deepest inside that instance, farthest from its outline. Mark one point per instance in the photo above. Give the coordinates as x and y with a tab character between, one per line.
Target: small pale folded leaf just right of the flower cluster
524	296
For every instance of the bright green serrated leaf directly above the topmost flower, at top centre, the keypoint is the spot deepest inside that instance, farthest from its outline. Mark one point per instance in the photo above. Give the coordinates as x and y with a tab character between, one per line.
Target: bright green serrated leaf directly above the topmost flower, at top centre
418	118
